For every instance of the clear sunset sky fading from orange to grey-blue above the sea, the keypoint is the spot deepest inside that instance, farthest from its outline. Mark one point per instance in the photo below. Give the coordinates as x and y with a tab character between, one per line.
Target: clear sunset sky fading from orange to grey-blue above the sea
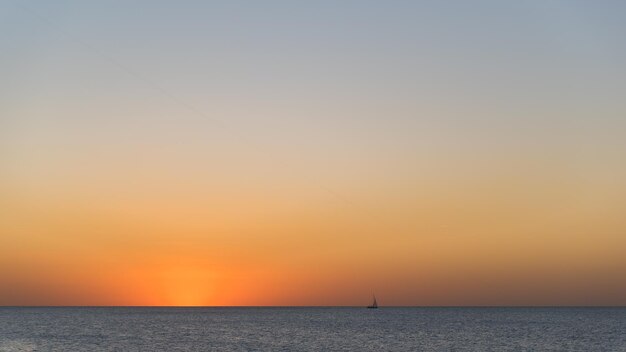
312	153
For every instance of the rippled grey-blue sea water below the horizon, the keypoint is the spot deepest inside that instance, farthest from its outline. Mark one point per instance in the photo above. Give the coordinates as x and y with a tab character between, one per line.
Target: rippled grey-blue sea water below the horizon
312	329
